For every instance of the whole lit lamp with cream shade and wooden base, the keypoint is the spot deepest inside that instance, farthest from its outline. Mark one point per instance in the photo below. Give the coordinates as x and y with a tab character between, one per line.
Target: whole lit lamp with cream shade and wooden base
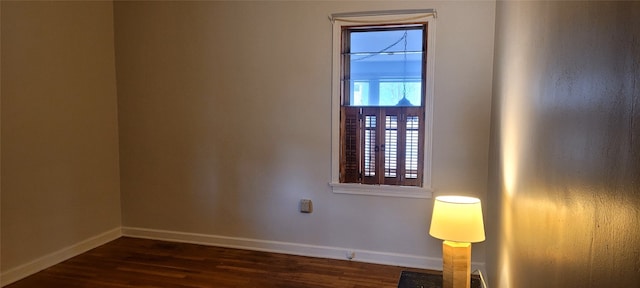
458	221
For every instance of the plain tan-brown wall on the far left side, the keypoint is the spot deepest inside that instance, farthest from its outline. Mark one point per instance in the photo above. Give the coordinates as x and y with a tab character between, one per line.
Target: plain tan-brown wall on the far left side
59	127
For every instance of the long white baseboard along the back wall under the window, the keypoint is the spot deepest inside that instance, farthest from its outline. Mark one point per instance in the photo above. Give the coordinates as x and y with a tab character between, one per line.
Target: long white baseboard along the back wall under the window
395	259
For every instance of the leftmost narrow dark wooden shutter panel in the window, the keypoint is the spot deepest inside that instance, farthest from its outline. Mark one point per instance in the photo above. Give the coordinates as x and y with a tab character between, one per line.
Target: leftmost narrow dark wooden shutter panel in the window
349	139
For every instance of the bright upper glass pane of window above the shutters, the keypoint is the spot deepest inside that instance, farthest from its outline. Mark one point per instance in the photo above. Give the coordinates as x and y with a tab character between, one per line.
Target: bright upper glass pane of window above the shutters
385	67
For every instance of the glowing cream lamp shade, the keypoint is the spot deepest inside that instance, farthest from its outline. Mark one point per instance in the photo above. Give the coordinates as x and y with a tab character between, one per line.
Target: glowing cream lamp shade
458	219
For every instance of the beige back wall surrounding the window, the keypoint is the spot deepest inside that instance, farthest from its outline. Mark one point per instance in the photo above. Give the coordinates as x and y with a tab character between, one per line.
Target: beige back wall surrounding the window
224	114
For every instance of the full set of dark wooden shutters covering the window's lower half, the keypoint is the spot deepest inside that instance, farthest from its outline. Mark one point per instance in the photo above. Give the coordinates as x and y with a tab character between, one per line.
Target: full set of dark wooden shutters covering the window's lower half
382	145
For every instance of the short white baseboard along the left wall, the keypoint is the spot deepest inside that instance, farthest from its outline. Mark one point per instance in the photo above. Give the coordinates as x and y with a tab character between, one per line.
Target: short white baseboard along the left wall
22	271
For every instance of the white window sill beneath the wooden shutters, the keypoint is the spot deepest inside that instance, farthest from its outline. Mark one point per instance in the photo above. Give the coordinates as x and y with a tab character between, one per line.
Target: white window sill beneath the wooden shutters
381	190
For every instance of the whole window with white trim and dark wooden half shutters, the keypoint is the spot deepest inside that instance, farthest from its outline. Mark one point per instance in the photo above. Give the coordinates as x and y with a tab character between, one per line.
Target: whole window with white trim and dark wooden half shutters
382	102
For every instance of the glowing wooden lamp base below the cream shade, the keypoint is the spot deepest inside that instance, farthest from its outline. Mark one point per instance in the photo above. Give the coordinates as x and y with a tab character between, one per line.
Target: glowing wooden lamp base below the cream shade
456	264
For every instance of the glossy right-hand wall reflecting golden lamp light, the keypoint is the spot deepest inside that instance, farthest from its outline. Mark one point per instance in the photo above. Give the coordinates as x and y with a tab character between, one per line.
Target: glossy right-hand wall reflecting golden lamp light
565	195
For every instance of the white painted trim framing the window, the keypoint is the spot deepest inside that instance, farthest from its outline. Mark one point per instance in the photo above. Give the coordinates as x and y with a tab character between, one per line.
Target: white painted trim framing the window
388	17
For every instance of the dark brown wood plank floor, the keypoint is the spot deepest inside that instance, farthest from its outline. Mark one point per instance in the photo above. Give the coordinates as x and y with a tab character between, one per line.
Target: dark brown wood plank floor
131	262
